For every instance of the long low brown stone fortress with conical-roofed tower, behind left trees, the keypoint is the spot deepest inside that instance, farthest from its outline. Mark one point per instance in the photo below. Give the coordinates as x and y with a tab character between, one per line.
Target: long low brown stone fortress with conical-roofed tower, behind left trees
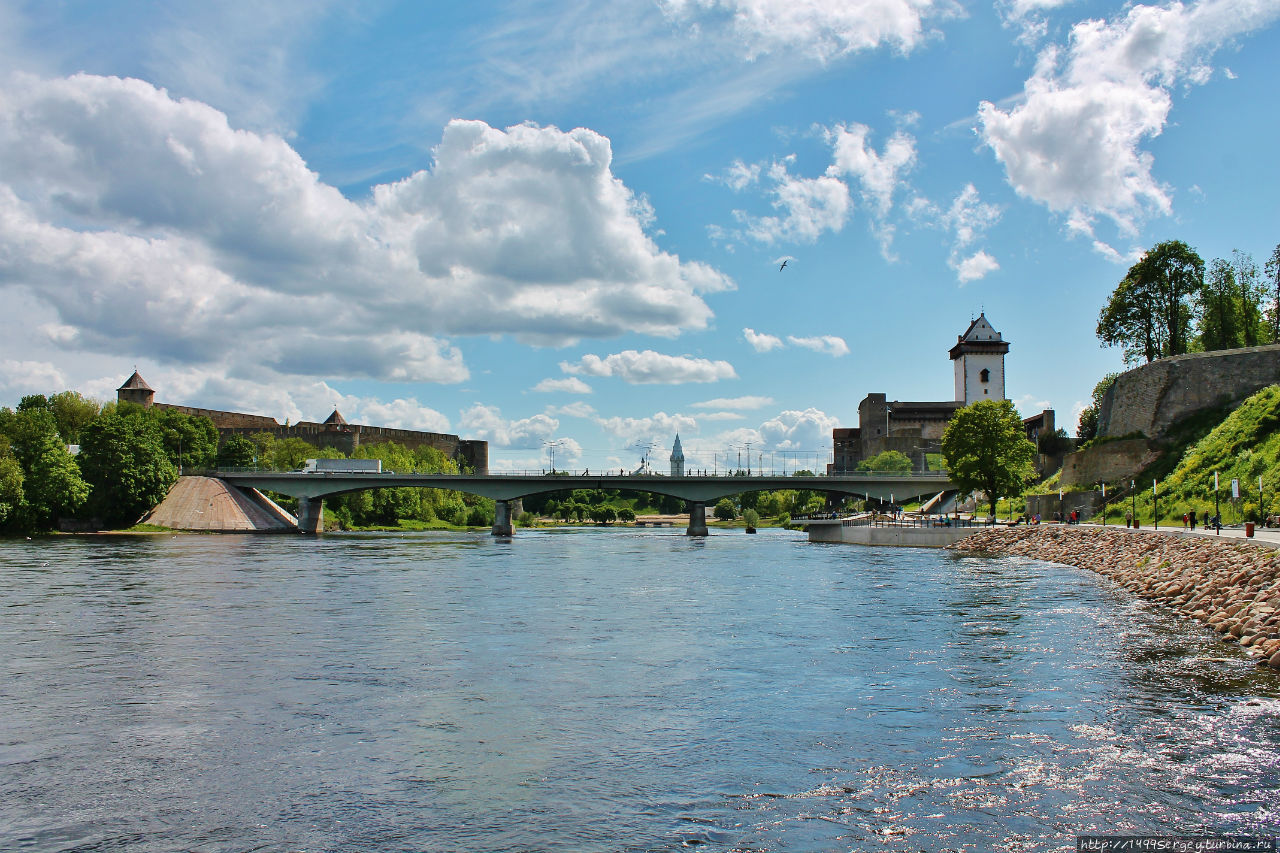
333	434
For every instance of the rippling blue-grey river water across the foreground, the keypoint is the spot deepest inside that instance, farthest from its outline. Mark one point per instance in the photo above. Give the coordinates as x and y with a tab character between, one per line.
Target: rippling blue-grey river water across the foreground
606	691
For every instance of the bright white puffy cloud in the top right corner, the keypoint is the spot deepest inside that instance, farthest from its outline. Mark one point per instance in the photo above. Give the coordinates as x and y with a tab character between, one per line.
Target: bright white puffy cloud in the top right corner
1076	140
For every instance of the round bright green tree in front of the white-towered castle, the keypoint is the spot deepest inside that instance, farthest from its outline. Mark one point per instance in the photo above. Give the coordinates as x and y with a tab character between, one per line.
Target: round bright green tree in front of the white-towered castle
988	450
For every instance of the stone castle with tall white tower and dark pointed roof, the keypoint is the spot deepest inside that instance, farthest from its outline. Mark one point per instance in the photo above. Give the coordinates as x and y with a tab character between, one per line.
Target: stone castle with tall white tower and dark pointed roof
916	428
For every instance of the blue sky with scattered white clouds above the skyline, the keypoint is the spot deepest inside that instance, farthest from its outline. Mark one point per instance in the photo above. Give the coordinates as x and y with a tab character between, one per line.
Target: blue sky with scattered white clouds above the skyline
559	226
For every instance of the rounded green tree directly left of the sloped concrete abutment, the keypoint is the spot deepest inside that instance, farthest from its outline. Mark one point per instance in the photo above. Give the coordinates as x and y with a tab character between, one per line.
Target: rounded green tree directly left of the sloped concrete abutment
125	460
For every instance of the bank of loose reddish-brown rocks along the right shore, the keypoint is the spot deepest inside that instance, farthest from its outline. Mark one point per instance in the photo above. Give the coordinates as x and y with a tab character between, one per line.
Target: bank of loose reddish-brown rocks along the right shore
1233	587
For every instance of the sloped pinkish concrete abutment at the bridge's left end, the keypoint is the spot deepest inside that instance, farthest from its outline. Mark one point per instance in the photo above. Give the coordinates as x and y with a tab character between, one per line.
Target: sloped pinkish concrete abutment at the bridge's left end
214	507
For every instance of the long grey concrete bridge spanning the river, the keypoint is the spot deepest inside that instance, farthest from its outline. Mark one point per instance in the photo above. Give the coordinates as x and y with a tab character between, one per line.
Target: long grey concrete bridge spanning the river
697	491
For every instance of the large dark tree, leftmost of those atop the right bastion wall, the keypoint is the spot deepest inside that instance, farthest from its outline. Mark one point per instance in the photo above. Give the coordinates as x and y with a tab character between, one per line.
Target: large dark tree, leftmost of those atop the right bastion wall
1149	313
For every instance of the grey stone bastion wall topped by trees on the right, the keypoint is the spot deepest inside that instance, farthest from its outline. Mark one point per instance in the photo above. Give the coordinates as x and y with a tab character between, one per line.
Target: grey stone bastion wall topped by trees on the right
1151	399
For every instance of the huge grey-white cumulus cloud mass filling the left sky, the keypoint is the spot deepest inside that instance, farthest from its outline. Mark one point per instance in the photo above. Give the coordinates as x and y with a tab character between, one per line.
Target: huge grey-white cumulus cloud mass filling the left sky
156	230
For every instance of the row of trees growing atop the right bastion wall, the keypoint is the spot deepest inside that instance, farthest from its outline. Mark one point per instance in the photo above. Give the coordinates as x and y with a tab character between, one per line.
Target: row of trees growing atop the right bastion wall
1171	303
